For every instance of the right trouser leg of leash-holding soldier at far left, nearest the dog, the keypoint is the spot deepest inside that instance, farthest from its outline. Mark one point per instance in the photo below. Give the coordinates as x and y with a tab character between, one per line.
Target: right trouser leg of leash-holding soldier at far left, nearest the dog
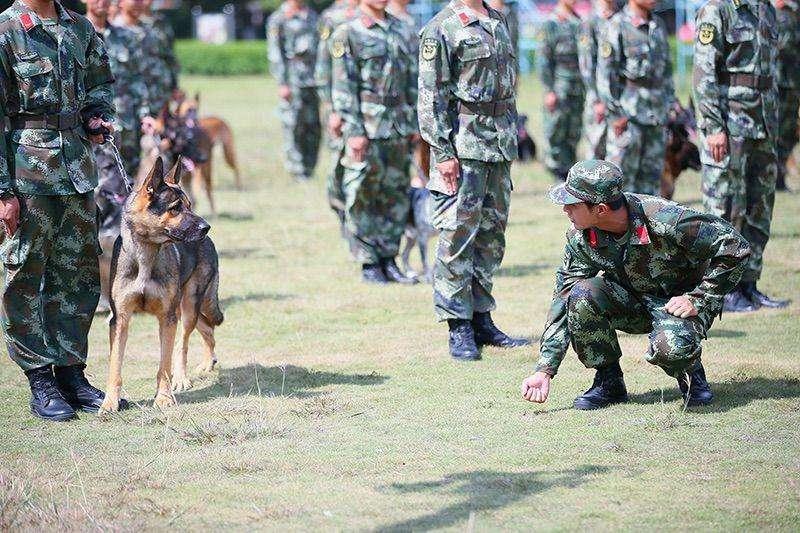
72	281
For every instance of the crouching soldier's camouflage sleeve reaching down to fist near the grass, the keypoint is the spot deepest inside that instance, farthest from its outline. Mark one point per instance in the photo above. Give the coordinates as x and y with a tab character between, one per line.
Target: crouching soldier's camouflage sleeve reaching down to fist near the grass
556	337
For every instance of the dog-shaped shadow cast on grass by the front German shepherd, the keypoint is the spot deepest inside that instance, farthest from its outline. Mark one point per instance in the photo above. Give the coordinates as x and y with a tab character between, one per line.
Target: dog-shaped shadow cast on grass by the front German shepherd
289	380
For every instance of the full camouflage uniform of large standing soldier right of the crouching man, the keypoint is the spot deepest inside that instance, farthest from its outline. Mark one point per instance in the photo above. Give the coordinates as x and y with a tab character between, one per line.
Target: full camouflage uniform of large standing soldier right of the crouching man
735	92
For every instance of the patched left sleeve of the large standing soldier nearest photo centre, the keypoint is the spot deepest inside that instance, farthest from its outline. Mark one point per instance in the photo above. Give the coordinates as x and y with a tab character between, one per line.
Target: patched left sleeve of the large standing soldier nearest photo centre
434	96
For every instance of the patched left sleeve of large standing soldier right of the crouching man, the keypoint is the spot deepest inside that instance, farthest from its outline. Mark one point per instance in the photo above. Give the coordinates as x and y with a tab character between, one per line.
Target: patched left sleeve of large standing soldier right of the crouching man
708	51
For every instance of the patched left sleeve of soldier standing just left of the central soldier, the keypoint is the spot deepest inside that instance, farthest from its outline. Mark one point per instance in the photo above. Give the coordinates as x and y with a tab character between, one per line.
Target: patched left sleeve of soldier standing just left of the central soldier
345	85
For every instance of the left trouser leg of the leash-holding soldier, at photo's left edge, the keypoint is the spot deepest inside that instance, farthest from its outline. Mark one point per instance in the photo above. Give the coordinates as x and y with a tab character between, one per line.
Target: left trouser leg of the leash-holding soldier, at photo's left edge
25	256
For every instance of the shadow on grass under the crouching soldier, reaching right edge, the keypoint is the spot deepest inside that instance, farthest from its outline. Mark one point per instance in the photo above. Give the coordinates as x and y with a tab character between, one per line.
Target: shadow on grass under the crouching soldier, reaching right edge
730	394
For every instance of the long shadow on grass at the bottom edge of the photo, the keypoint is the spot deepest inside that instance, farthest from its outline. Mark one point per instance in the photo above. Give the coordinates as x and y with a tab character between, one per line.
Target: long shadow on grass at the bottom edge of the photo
484	490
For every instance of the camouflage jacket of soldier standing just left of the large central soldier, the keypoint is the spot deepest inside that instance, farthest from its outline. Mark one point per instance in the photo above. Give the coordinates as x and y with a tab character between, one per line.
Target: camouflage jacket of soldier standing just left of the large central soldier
373	78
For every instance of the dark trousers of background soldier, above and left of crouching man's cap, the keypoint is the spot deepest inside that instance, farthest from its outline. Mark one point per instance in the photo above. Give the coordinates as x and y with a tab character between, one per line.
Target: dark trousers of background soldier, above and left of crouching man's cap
562	132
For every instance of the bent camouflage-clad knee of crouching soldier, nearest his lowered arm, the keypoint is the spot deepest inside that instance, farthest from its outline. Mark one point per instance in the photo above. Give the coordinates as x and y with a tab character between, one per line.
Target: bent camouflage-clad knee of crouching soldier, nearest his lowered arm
596	308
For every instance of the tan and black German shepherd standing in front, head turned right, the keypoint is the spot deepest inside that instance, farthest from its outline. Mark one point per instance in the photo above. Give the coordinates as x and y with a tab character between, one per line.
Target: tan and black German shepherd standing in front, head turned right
163	264
